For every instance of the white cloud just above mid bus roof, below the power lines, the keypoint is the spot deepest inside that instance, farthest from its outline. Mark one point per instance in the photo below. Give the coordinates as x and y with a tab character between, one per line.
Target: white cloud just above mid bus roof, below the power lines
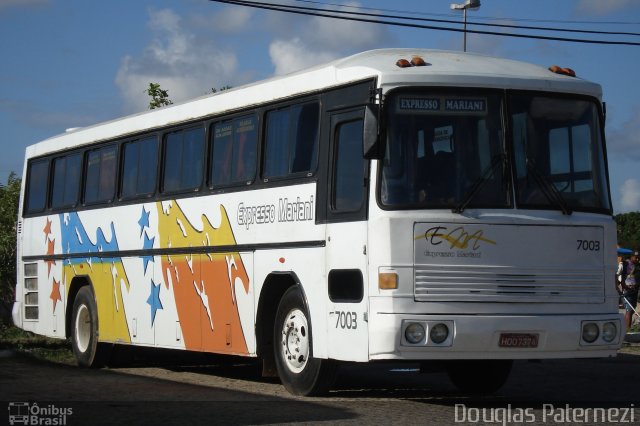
322	40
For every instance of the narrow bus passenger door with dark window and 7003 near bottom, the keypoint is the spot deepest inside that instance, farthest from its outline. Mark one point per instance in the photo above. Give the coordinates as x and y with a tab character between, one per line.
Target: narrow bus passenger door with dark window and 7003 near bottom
346	239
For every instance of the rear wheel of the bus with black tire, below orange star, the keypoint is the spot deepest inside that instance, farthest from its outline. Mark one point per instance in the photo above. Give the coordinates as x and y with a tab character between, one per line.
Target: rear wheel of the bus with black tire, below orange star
84	331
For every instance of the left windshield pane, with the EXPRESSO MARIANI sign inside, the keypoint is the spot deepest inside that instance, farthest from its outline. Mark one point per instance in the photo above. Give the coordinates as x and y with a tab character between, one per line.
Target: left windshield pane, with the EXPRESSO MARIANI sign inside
445	150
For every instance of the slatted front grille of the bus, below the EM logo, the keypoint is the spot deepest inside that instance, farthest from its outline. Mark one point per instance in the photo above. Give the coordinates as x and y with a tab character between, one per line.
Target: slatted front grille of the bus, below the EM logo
505	284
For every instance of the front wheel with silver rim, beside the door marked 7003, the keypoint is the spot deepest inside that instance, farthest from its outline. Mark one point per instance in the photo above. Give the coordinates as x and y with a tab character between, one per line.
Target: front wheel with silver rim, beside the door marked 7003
299	372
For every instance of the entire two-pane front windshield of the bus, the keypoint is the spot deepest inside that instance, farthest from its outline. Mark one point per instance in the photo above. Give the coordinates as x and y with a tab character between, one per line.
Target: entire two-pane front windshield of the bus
447	150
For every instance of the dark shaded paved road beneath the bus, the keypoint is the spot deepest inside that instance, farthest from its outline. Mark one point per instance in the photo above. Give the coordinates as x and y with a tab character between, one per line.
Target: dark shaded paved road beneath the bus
221	393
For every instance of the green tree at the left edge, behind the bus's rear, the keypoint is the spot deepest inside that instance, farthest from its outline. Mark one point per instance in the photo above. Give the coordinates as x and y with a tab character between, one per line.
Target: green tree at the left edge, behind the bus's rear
9	196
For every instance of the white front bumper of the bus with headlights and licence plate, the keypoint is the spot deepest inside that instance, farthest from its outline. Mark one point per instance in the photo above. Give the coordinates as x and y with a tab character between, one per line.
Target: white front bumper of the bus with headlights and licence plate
398	336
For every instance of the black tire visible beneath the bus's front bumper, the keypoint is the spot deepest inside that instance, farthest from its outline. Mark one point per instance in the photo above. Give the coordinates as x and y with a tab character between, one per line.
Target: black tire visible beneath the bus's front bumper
479	376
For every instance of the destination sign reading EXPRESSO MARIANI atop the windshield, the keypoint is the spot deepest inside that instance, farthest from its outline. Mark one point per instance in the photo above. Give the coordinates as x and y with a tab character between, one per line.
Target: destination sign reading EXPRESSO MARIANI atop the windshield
453	105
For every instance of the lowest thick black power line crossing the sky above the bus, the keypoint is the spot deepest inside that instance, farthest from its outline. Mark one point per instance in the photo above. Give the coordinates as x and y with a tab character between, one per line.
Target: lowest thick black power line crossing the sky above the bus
335	14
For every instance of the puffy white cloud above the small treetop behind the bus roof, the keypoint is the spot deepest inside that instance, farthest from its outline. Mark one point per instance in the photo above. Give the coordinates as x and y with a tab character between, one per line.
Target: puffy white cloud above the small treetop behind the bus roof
183	64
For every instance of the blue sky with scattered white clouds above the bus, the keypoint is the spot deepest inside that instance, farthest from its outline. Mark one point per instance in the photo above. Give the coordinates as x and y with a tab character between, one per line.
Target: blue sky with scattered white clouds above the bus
73	63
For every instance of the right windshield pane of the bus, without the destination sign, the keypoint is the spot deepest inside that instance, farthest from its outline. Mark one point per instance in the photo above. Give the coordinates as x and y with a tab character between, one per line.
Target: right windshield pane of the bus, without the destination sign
558	153
